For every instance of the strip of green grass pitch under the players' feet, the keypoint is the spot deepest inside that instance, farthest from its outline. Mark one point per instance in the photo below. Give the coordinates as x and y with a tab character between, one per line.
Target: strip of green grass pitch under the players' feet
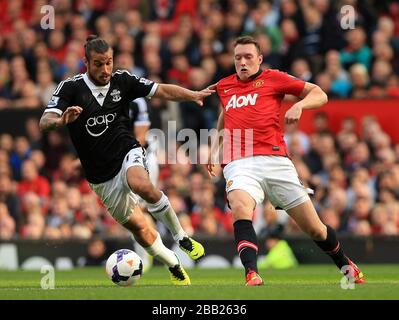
305	282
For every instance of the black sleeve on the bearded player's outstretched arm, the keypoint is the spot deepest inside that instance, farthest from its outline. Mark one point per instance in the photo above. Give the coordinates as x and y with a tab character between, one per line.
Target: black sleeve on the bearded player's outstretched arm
137	87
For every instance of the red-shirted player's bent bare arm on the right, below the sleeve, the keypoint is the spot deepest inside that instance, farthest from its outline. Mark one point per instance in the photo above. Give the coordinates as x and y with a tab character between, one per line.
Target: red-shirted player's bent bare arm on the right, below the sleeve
312	97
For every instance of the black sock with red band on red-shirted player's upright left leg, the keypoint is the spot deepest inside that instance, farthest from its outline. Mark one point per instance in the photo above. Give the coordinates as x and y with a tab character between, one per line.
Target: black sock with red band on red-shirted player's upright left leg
246	243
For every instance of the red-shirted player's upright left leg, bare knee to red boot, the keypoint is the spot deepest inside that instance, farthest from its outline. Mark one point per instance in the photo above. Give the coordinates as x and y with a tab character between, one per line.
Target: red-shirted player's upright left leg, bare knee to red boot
242	206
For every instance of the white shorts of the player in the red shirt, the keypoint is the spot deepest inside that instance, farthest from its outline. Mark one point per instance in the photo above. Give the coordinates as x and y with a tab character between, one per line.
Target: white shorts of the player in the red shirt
273	176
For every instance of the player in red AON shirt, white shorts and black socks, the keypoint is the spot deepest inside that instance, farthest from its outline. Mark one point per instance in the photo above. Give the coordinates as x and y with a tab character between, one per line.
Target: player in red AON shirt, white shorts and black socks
255	156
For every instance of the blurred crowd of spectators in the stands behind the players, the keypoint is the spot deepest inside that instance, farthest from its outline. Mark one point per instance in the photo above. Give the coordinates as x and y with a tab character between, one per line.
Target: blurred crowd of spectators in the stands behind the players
43	193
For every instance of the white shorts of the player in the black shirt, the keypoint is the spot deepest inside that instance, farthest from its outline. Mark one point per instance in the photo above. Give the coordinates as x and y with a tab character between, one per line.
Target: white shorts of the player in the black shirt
116	194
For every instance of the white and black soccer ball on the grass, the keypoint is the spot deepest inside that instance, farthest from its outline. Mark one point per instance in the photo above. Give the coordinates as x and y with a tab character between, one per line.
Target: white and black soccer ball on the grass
124	267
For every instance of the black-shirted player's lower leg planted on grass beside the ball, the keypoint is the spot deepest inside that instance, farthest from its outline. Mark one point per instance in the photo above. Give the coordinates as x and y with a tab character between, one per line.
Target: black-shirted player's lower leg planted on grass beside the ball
151	241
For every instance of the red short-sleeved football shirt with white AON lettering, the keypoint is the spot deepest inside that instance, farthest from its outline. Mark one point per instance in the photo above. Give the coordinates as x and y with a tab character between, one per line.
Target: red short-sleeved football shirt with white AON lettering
252	111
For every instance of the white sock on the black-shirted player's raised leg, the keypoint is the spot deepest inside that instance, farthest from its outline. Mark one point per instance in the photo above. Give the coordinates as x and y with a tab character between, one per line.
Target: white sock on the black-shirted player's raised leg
163	211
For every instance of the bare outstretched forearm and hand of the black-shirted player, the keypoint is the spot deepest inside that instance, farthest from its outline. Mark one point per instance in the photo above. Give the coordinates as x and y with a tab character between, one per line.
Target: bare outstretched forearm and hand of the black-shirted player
177	93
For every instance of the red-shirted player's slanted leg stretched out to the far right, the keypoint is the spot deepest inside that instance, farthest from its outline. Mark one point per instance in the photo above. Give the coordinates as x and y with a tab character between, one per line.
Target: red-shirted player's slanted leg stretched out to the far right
324	236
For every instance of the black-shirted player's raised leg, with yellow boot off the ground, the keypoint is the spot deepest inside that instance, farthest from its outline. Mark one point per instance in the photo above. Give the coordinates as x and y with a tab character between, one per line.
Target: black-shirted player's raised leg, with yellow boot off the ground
159	206
